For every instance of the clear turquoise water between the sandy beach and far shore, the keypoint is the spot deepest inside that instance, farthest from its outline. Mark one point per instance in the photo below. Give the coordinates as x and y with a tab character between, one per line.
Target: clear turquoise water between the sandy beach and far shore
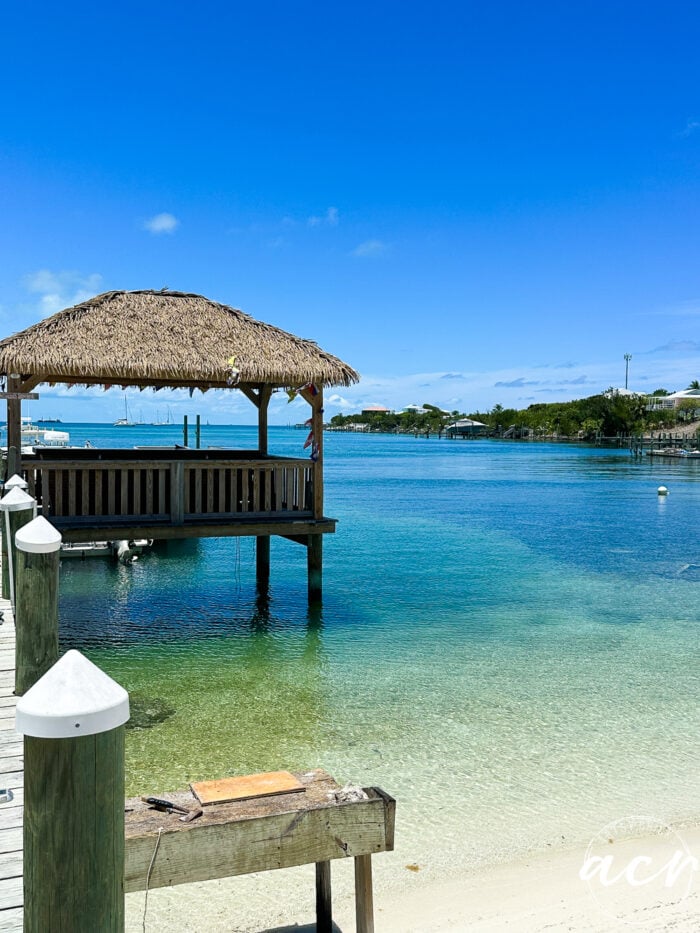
508	641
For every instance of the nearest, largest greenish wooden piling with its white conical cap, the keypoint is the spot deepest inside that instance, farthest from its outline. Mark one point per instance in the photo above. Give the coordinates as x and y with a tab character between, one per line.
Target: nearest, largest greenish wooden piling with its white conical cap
73	725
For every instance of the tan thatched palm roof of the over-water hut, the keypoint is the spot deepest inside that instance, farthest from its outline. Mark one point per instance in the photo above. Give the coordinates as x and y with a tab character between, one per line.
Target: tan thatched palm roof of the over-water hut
165	338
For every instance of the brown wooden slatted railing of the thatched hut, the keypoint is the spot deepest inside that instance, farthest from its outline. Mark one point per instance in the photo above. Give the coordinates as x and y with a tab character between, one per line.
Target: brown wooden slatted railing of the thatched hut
172	491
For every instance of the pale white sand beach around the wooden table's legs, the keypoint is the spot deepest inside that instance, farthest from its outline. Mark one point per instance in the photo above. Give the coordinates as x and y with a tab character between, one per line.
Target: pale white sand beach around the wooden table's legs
533	895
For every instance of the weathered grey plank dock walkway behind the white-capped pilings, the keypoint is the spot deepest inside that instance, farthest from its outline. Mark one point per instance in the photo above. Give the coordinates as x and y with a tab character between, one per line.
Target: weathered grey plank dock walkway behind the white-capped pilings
12	778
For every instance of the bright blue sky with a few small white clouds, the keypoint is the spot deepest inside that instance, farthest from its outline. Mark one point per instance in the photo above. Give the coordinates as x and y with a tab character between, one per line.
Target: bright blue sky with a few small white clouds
472	204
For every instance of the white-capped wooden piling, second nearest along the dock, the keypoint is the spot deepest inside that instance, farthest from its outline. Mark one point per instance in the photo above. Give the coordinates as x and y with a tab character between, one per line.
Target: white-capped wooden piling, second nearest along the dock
37	546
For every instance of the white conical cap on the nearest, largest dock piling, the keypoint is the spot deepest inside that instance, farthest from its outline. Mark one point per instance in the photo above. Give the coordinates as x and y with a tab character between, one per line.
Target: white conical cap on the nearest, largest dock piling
73	698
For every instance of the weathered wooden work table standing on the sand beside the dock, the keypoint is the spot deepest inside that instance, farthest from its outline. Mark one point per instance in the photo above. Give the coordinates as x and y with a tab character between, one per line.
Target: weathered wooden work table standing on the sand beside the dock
261	834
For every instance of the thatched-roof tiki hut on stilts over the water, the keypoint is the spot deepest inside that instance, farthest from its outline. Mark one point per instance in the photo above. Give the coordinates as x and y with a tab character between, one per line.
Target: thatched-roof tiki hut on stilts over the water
168	339
